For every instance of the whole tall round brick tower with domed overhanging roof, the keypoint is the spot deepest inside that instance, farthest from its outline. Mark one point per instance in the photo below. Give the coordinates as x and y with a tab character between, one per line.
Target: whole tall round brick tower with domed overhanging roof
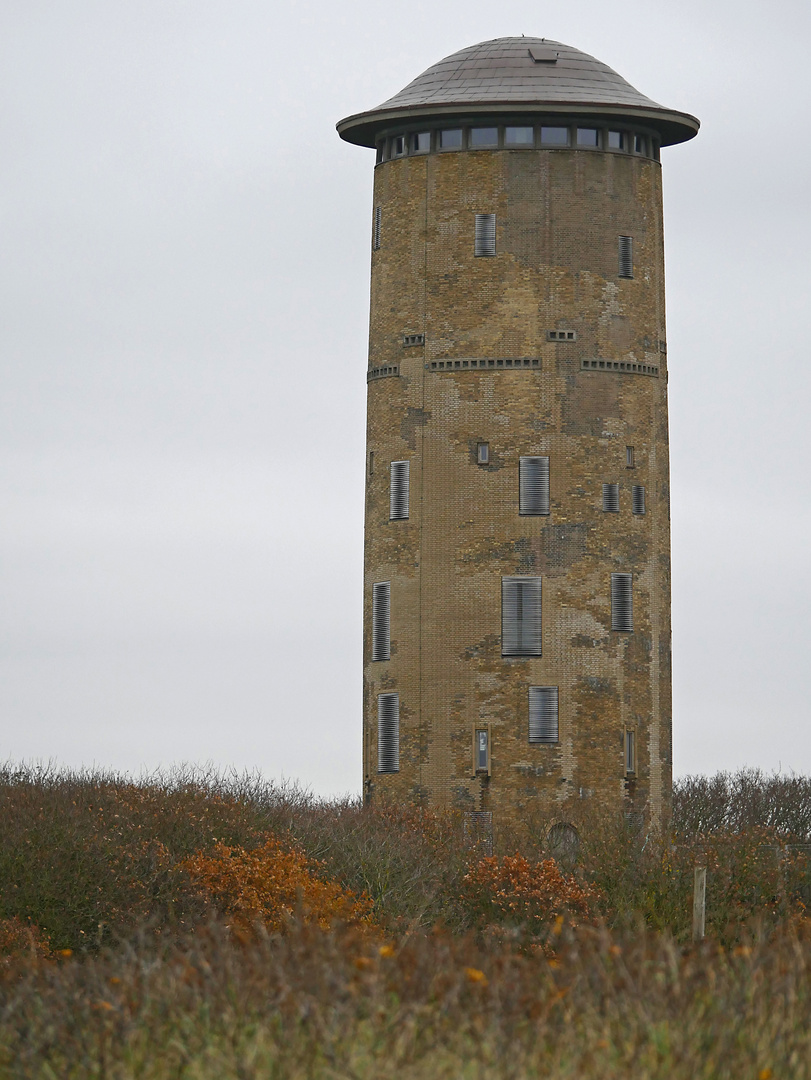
517	604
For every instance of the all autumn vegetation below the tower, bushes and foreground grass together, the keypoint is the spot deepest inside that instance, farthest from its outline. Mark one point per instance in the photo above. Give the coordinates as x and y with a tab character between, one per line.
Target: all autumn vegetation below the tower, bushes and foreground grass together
220	927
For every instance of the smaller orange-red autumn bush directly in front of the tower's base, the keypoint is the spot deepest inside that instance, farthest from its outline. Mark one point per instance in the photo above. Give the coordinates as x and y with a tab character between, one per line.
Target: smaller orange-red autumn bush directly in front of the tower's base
528	893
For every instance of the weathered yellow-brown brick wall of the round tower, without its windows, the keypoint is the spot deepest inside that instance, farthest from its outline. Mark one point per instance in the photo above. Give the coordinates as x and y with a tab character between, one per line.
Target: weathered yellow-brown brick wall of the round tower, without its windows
560	215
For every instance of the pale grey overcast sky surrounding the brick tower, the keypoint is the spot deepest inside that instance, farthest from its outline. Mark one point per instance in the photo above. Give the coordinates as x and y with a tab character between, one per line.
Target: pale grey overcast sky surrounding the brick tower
184	304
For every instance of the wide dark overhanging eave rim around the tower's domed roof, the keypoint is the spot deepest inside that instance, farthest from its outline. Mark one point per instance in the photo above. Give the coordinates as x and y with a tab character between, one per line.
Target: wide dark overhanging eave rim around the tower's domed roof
364	128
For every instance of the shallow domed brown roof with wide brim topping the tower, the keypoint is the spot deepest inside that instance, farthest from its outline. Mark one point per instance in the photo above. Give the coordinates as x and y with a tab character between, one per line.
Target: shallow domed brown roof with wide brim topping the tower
519	76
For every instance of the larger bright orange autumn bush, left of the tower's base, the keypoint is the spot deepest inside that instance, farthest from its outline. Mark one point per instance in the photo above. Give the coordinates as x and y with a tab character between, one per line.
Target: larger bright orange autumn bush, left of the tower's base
271	885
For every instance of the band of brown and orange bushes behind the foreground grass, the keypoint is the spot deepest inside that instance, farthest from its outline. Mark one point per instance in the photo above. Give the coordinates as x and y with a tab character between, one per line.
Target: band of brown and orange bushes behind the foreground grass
86	859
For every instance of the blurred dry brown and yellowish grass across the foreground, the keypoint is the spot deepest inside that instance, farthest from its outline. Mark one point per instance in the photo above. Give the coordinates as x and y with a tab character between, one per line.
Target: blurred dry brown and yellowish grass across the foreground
323	1005
